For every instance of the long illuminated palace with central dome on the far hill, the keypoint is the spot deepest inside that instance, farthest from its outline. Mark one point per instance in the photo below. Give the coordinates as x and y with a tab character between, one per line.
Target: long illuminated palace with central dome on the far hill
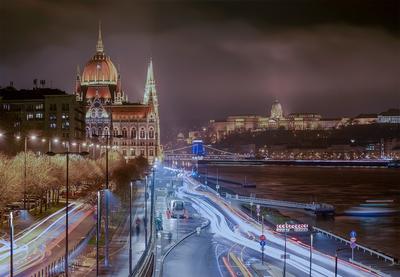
218	129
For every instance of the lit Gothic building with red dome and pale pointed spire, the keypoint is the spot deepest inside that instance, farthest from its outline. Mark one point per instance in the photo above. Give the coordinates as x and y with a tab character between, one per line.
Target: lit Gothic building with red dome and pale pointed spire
133	127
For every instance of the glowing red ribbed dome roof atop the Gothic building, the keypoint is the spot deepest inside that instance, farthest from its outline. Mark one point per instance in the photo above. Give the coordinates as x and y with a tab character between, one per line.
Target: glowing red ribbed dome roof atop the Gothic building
100	69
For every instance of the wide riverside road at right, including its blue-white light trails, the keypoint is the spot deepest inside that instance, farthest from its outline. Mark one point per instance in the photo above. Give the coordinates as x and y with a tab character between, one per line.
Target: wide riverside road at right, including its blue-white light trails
235	236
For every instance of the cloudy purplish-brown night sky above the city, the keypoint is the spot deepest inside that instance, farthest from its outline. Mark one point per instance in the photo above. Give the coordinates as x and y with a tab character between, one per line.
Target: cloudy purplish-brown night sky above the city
216	58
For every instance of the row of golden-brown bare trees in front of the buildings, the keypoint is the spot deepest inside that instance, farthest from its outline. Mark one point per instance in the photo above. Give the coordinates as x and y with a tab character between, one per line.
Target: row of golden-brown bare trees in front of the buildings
46	177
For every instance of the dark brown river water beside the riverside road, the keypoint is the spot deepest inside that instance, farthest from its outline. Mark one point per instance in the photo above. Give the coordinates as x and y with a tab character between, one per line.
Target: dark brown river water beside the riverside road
341	187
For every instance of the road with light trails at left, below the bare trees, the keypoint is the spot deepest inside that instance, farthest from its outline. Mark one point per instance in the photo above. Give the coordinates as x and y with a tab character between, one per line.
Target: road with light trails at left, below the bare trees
43	243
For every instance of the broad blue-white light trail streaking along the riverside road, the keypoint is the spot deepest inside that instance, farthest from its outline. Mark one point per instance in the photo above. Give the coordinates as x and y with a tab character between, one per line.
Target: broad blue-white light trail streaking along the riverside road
220	225
